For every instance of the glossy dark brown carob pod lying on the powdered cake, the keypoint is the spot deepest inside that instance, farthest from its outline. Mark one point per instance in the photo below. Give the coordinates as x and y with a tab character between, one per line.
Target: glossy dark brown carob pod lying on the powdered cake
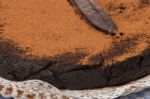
95	15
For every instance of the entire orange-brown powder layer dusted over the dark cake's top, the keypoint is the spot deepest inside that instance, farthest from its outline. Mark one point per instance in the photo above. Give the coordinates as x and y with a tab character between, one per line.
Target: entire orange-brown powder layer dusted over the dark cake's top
51	27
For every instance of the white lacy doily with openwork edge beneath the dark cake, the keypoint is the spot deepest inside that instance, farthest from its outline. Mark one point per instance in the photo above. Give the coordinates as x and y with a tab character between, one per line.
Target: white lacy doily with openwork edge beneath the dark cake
42	89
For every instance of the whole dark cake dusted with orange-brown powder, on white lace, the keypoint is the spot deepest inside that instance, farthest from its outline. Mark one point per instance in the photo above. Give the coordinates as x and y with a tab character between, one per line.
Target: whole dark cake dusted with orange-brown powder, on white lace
48	40
